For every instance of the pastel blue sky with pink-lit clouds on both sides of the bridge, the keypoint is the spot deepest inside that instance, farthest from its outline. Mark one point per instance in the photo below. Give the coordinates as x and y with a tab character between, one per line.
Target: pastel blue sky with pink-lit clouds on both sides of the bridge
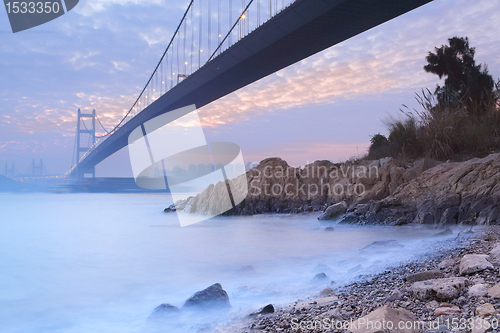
100	55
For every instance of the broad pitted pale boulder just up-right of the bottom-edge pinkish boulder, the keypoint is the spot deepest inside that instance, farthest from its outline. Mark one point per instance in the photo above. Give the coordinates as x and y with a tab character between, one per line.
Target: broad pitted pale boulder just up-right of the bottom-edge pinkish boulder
440	289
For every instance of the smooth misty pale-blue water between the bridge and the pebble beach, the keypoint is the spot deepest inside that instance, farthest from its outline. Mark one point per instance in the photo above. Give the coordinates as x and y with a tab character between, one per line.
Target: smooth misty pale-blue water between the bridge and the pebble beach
102	262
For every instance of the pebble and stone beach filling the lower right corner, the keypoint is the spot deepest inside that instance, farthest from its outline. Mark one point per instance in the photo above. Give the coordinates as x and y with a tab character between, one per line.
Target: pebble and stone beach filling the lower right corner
457	283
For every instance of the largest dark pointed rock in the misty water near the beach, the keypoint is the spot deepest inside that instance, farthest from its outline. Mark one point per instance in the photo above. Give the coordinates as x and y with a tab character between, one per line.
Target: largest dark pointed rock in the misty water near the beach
214	297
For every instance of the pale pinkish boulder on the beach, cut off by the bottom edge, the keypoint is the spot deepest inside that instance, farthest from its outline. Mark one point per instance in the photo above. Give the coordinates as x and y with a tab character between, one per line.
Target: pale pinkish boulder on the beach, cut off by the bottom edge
384	320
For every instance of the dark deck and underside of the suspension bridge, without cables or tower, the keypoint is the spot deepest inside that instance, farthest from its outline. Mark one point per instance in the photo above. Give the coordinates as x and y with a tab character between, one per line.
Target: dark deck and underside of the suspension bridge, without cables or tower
304	28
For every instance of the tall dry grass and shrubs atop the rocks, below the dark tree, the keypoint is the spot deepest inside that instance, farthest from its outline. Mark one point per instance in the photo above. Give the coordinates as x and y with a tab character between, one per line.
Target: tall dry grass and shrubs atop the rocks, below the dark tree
452	129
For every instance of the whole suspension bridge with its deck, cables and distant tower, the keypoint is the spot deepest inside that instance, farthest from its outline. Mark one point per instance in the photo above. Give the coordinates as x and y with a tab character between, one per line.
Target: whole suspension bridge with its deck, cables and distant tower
220	46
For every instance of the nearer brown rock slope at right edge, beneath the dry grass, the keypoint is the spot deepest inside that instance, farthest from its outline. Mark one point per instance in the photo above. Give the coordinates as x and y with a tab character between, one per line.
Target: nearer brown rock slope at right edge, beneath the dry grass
448	193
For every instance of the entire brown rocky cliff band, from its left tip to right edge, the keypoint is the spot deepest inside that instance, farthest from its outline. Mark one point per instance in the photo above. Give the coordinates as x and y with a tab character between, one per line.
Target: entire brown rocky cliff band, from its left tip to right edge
383	191
